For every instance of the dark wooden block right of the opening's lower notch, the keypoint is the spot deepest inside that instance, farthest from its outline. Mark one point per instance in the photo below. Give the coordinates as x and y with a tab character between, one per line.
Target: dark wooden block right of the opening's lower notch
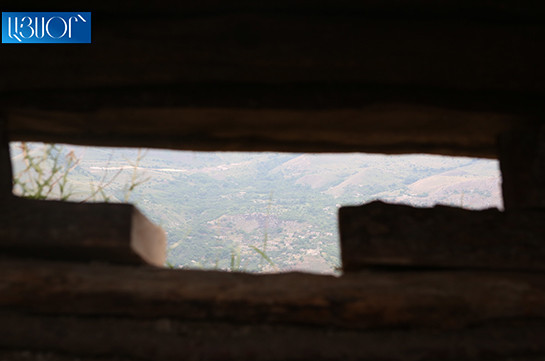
379	234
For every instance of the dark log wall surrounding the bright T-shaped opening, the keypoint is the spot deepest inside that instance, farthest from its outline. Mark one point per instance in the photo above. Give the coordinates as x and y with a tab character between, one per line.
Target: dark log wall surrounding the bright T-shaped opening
445	77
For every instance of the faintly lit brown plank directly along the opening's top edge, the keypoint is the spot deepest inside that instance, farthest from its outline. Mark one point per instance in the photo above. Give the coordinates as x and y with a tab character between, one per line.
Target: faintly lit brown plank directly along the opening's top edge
391	128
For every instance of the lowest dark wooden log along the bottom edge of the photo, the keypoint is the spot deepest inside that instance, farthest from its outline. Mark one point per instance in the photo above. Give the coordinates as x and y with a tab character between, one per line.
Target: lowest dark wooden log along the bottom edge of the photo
122	339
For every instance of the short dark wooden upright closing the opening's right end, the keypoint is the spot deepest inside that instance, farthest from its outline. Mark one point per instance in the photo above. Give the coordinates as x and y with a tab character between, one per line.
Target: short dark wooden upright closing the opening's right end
522	163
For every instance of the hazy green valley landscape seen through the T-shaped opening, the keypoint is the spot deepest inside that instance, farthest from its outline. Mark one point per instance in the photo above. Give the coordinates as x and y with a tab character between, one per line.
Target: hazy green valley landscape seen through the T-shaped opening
254	212
